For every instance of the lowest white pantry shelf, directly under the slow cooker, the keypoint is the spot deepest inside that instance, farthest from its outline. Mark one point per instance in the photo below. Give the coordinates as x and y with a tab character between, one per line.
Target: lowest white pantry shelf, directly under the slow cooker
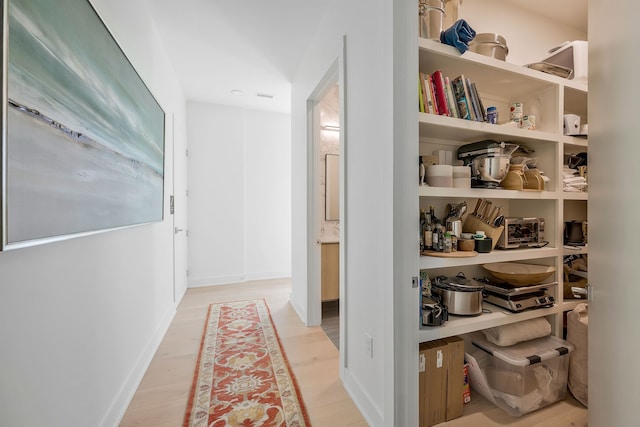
457	325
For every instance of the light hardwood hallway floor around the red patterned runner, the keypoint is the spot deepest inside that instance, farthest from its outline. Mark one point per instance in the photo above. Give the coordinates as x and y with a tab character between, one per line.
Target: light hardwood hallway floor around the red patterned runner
161	398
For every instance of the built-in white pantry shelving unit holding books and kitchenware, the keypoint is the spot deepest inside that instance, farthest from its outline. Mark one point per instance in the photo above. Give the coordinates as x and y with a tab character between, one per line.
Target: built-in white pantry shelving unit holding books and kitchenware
548	97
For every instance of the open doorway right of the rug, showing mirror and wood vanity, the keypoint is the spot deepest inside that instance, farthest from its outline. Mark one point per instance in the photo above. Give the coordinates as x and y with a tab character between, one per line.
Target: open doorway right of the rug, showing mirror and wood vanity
326	206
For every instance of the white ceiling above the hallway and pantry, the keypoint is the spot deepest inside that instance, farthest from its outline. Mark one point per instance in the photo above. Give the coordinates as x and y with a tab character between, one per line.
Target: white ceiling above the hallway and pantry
219	46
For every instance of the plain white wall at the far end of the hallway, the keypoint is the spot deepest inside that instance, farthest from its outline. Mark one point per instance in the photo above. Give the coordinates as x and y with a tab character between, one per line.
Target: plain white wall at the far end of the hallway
239	194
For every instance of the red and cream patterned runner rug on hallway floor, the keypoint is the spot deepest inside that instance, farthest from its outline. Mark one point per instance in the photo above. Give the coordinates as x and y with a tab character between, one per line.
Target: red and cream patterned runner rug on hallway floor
242	376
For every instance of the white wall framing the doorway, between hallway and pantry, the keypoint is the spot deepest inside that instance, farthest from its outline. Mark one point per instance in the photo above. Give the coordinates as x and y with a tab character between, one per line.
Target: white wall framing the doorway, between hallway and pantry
368	184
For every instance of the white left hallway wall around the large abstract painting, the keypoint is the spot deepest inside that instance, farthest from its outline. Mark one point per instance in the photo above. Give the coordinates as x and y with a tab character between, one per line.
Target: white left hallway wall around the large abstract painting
81	319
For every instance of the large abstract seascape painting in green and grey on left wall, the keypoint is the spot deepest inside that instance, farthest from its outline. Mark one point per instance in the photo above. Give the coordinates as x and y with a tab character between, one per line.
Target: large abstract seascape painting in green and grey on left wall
83	137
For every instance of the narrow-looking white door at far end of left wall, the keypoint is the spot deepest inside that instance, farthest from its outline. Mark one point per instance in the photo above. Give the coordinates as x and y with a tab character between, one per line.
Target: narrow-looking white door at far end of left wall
179	209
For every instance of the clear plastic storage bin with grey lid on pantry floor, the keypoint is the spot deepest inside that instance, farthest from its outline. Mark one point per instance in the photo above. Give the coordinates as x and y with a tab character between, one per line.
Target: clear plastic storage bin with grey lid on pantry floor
520	378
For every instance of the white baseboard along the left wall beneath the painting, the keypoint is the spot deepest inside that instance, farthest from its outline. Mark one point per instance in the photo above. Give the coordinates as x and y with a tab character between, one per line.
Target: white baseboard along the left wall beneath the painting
121	402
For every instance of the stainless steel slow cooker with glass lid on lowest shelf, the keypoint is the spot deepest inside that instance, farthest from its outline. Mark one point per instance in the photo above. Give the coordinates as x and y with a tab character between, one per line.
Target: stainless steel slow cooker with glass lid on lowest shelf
460	295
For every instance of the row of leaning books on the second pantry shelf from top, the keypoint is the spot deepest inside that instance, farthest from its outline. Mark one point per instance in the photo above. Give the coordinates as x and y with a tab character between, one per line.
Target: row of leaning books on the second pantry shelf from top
456	97
